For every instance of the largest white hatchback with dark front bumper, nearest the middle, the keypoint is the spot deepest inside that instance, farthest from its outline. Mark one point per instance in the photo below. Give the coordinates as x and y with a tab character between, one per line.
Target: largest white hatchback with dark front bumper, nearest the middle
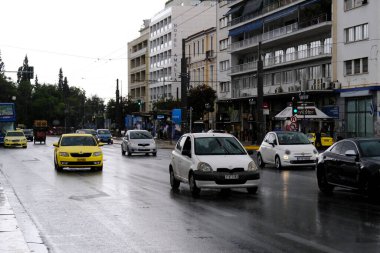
212	160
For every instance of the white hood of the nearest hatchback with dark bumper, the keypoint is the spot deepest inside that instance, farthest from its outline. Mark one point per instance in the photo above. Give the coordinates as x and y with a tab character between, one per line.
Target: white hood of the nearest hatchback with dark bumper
226	161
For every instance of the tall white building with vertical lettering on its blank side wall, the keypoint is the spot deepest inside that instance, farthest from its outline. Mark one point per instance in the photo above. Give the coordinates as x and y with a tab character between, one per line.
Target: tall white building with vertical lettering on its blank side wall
167	29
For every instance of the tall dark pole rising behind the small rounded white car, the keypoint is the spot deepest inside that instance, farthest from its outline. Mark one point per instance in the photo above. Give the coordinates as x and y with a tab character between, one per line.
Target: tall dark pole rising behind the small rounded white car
260	99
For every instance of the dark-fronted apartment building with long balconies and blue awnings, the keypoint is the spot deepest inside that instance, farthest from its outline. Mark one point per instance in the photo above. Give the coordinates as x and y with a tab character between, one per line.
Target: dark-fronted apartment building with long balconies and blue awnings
296	50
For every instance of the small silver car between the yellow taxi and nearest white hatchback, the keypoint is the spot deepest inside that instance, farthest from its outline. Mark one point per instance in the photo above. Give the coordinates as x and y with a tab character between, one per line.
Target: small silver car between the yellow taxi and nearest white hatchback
138	141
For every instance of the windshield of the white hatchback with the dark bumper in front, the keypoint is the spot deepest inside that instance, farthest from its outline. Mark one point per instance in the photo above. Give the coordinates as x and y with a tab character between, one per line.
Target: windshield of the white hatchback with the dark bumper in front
218	146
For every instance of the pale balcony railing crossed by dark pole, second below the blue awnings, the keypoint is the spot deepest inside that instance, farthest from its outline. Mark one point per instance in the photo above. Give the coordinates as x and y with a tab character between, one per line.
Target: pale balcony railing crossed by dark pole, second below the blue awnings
307	54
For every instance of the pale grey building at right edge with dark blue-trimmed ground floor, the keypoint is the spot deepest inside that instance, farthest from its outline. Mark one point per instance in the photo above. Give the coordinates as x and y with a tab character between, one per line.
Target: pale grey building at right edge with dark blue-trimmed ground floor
356	67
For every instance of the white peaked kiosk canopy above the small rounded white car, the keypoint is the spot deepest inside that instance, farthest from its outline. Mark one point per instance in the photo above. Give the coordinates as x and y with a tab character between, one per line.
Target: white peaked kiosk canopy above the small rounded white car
307	112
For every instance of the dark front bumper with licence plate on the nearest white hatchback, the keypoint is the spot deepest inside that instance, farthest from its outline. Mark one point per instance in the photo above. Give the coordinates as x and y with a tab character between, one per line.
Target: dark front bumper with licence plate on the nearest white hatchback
226	179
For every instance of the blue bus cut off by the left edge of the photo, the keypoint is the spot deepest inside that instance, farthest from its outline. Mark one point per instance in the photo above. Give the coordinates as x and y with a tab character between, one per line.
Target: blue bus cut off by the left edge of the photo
7	119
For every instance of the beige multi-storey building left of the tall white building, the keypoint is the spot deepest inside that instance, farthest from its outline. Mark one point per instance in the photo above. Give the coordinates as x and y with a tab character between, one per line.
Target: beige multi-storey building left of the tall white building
138	67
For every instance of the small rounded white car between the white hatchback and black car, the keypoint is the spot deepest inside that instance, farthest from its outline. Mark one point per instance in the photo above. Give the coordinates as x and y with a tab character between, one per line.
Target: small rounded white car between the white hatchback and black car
284	149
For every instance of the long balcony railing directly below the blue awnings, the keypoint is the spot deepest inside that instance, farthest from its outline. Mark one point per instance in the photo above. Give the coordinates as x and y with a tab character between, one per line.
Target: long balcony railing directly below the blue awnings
278	32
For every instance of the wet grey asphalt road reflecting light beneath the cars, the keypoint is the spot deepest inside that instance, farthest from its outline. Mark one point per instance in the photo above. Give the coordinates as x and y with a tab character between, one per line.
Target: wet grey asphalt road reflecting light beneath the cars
130	207
